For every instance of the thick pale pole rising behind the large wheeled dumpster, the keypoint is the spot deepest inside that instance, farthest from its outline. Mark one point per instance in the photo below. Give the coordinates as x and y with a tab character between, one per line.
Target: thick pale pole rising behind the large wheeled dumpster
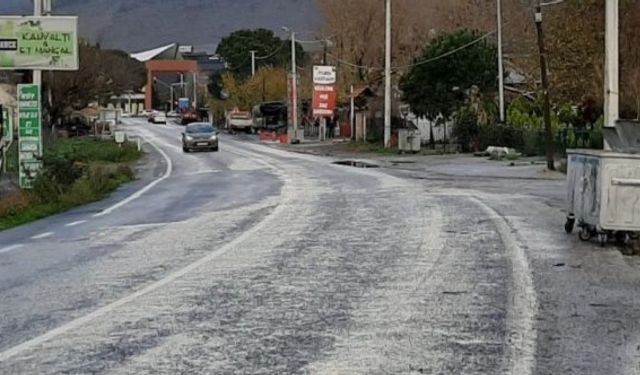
612	65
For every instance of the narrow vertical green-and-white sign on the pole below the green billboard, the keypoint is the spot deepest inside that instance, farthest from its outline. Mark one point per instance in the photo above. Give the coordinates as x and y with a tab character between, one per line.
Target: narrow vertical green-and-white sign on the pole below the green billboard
29	133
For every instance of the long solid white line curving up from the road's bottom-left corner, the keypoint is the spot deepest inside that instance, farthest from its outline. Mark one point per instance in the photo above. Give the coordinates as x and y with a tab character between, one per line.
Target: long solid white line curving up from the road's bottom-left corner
37	341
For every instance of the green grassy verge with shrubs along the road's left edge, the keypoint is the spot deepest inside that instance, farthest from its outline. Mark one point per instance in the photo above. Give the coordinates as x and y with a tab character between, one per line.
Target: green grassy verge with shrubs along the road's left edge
76	172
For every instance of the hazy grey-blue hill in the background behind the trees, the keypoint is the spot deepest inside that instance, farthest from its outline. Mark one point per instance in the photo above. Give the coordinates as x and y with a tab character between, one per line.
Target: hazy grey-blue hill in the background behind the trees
144	24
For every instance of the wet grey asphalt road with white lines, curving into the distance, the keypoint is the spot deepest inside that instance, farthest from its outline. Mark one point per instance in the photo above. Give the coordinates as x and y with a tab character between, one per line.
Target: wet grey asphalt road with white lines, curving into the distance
255	260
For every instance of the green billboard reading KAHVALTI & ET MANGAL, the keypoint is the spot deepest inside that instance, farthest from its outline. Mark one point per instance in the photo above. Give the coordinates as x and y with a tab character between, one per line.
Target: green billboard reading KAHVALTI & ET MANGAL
39	43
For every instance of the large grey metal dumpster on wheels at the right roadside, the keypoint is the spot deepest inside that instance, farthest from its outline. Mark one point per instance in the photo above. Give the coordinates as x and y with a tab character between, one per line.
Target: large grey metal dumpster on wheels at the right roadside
604	193
